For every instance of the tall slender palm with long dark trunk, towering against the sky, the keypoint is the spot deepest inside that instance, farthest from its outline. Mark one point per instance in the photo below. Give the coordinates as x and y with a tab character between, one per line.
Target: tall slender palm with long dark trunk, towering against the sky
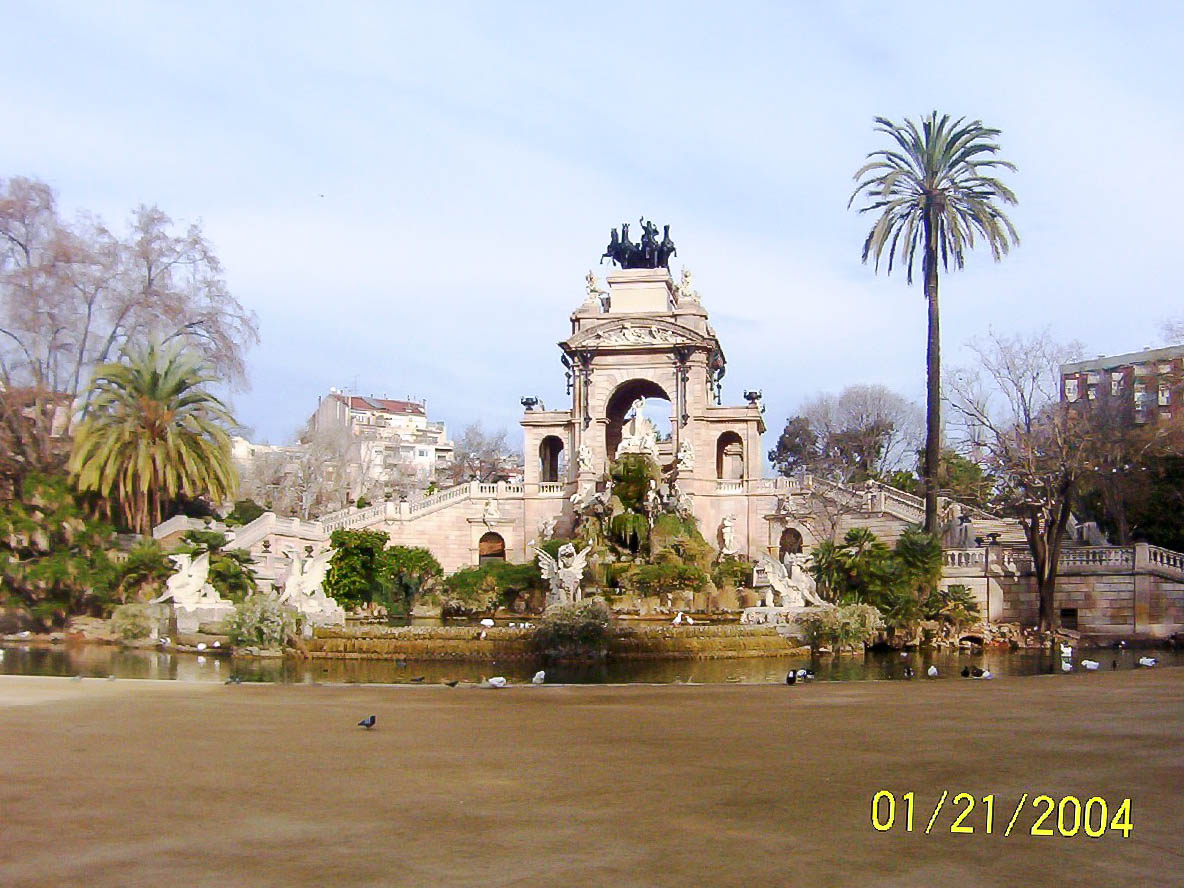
937	189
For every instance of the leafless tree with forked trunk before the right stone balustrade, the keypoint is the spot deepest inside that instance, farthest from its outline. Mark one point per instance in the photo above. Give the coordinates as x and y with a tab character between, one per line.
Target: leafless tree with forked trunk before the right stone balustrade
1011	411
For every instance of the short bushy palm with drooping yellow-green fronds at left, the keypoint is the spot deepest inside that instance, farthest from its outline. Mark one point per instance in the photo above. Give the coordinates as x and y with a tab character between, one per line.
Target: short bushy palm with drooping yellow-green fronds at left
152	433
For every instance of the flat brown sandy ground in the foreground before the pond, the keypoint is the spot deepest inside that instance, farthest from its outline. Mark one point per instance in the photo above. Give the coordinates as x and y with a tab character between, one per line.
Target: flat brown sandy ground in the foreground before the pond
137	783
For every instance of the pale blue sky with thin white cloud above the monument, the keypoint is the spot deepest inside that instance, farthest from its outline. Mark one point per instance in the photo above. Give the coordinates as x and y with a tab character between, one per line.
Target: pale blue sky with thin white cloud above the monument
409	196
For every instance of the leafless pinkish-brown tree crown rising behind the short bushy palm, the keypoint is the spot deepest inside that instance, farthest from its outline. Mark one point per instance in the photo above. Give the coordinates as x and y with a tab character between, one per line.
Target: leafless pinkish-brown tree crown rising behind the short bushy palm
73	295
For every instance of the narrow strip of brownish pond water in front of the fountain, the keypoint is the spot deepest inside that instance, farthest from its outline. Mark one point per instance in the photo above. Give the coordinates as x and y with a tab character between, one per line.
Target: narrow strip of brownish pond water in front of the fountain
101	661
